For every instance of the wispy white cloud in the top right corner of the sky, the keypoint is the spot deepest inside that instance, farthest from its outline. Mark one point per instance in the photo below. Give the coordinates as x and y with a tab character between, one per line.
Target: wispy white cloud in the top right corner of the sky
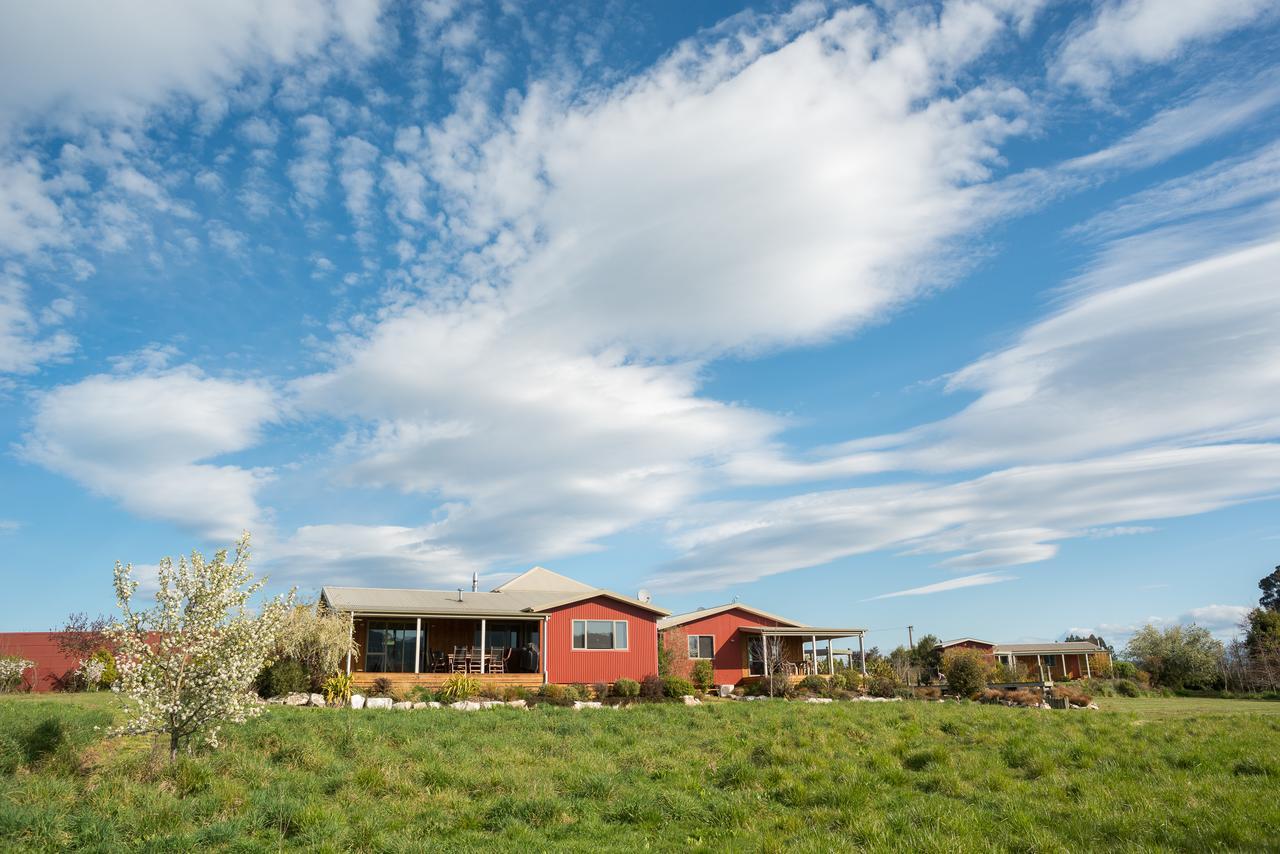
1126	35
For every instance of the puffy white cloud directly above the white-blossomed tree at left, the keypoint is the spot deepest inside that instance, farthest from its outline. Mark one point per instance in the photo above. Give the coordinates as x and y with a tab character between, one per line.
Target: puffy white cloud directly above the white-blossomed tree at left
149	441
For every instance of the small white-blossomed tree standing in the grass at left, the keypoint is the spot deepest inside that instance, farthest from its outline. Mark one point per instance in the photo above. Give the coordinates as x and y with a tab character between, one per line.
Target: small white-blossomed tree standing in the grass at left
186	666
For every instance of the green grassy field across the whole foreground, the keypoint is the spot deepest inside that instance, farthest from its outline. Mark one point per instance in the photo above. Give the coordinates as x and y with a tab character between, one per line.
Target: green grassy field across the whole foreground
724	777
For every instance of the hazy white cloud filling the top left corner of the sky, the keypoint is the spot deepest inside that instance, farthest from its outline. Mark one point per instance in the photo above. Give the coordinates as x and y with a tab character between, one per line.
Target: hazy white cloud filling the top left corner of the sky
54	57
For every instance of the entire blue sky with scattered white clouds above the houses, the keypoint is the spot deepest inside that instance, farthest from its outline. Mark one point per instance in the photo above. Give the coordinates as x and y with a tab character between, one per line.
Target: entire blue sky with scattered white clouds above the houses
954	316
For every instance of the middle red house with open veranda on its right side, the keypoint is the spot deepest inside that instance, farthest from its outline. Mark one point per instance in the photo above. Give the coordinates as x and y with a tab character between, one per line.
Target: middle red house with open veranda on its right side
734	638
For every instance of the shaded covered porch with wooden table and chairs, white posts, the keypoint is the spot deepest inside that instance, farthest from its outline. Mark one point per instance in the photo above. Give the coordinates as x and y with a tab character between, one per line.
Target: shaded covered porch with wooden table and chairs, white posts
429	649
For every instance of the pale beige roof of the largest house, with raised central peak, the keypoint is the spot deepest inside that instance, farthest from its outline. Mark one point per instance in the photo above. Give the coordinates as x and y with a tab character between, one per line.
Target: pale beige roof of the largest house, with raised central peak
523	596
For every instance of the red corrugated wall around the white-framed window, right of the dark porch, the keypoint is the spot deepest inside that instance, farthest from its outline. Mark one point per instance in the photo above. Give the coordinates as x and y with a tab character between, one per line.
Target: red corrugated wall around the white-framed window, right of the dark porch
566	665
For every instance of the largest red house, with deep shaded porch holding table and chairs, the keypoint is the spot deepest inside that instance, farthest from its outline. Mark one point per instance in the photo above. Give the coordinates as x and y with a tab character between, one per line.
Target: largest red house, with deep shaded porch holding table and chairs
538	628
